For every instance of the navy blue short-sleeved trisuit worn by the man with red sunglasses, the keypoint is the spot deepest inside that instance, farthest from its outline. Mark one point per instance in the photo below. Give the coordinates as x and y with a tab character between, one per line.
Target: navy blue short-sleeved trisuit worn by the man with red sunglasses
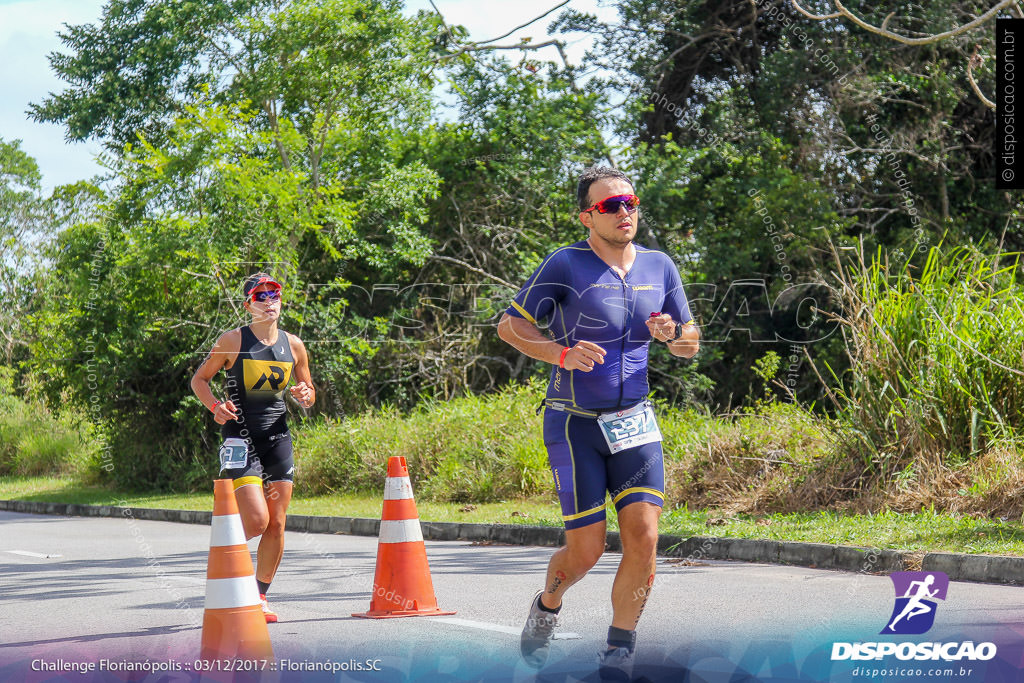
578	297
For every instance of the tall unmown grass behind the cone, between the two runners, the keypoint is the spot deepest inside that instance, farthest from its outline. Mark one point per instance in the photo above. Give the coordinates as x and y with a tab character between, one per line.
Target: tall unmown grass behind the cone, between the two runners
477	449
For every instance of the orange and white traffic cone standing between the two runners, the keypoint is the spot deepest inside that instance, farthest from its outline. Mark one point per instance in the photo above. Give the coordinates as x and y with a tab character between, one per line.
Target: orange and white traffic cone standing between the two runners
402	584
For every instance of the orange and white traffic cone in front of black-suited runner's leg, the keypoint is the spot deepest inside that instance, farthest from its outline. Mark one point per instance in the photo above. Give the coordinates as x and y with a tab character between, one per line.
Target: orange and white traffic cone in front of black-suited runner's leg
234	626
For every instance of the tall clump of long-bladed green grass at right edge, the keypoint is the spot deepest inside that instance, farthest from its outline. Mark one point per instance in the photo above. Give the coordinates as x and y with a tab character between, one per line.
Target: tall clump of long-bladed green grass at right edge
935	361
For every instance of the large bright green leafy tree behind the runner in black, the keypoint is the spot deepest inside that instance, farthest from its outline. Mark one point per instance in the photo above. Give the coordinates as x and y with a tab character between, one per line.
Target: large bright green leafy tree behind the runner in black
301	165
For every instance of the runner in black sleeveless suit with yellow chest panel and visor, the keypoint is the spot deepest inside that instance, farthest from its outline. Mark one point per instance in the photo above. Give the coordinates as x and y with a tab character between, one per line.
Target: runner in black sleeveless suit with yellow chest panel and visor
260	360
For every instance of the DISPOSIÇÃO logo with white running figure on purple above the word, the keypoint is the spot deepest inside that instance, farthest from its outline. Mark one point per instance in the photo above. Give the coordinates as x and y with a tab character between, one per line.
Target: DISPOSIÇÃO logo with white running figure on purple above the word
914	614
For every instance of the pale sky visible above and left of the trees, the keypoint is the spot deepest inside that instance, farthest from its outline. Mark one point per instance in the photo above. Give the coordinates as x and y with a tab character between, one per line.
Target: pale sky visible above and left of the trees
28	35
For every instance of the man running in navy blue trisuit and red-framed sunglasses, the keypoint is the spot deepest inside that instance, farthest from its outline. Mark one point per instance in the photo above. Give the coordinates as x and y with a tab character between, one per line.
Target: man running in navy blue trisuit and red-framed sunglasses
604	301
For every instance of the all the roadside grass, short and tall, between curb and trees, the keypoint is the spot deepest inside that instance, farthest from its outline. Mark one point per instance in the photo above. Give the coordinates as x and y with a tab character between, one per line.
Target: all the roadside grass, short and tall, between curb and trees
926	419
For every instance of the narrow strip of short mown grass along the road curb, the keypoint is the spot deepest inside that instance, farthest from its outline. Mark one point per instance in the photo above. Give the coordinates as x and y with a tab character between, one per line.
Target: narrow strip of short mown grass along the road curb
924	531
